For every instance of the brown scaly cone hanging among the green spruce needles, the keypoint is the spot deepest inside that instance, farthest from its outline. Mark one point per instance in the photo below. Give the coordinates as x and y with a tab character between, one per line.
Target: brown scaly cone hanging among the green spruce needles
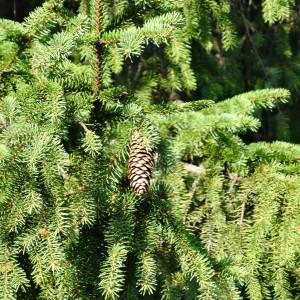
140	166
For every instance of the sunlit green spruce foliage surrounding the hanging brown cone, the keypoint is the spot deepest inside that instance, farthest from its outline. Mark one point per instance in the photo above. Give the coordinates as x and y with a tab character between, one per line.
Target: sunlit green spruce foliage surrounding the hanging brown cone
221	219
